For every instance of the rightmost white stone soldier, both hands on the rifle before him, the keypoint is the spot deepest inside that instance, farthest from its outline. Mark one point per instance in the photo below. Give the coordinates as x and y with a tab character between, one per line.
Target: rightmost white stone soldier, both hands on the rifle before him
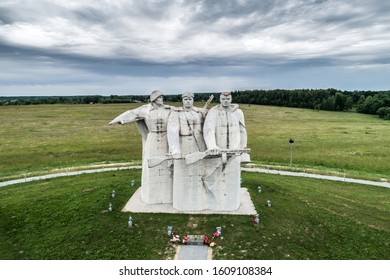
225	136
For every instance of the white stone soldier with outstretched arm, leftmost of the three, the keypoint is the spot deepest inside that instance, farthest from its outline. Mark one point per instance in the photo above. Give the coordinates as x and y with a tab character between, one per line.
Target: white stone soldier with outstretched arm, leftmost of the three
152	120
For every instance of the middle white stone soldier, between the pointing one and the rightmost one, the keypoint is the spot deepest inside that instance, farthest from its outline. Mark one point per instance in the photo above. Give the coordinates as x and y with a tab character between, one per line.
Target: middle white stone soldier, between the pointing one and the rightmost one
185	136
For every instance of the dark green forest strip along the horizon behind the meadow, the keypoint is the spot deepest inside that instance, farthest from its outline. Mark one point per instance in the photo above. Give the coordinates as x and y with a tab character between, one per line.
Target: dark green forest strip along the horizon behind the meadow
365	102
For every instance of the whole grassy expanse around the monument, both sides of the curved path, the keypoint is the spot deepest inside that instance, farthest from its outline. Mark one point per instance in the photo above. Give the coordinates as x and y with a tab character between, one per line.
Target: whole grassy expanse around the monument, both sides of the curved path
67	218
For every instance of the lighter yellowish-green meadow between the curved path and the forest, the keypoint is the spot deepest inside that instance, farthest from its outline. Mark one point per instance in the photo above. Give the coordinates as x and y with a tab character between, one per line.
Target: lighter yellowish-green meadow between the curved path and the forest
38	139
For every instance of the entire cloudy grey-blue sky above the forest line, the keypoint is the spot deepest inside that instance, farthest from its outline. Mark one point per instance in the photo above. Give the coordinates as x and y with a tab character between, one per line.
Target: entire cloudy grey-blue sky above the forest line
77	47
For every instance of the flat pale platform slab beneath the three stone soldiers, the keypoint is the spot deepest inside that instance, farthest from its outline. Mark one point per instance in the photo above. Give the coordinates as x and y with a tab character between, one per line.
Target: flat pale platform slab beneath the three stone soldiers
136	205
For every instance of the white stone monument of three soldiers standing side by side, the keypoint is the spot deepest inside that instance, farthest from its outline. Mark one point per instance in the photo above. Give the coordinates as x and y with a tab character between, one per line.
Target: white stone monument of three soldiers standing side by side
191	158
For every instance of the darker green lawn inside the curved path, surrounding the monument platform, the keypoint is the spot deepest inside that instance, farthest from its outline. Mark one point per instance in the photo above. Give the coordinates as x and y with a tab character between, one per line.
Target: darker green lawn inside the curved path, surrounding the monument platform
67	218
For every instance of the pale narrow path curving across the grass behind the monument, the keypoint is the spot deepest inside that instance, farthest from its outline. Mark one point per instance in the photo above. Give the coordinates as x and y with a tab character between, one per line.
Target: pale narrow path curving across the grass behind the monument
261	170
